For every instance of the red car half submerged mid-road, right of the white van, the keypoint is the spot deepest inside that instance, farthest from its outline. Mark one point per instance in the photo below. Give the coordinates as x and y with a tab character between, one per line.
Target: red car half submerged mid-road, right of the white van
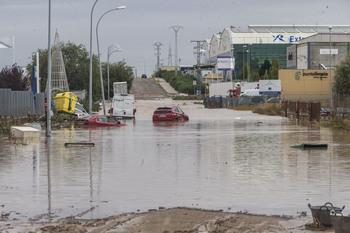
169	114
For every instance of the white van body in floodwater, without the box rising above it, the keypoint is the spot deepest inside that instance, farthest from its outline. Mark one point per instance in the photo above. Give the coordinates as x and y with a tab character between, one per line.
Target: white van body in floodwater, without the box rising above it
123	106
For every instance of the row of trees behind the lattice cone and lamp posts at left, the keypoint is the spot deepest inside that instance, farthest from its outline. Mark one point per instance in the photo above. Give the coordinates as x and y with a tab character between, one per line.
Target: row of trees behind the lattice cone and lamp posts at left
76	60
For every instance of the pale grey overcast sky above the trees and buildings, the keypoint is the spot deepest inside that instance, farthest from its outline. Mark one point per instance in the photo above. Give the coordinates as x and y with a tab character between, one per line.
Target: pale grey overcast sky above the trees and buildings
145	22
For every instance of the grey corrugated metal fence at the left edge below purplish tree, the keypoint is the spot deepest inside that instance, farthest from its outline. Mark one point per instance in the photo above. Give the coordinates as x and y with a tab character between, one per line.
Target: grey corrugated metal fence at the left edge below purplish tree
21	103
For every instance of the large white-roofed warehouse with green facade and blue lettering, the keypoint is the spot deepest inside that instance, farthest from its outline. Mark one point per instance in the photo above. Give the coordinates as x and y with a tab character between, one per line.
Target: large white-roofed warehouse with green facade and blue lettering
266	42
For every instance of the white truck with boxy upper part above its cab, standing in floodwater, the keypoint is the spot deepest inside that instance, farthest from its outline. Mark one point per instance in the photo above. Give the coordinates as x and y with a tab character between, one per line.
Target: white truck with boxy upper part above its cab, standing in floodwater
123	104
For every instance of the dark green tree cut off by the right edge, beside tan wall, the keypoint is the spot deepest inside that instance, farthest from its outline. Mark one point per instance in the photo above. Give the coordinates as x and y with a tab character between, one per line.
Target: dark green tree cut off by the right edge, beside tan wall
342	77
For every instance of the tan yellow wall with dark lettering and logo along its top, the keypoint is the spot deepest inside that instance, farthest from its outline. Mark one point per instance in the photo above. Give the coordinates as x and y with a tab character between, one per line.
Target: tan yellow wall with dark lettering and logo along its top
305	85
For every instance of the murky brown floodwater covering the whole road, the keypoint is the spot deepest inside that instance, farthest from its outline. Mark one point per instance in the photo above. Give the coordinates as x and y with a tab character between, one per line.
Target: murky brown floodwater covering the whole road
220	159
